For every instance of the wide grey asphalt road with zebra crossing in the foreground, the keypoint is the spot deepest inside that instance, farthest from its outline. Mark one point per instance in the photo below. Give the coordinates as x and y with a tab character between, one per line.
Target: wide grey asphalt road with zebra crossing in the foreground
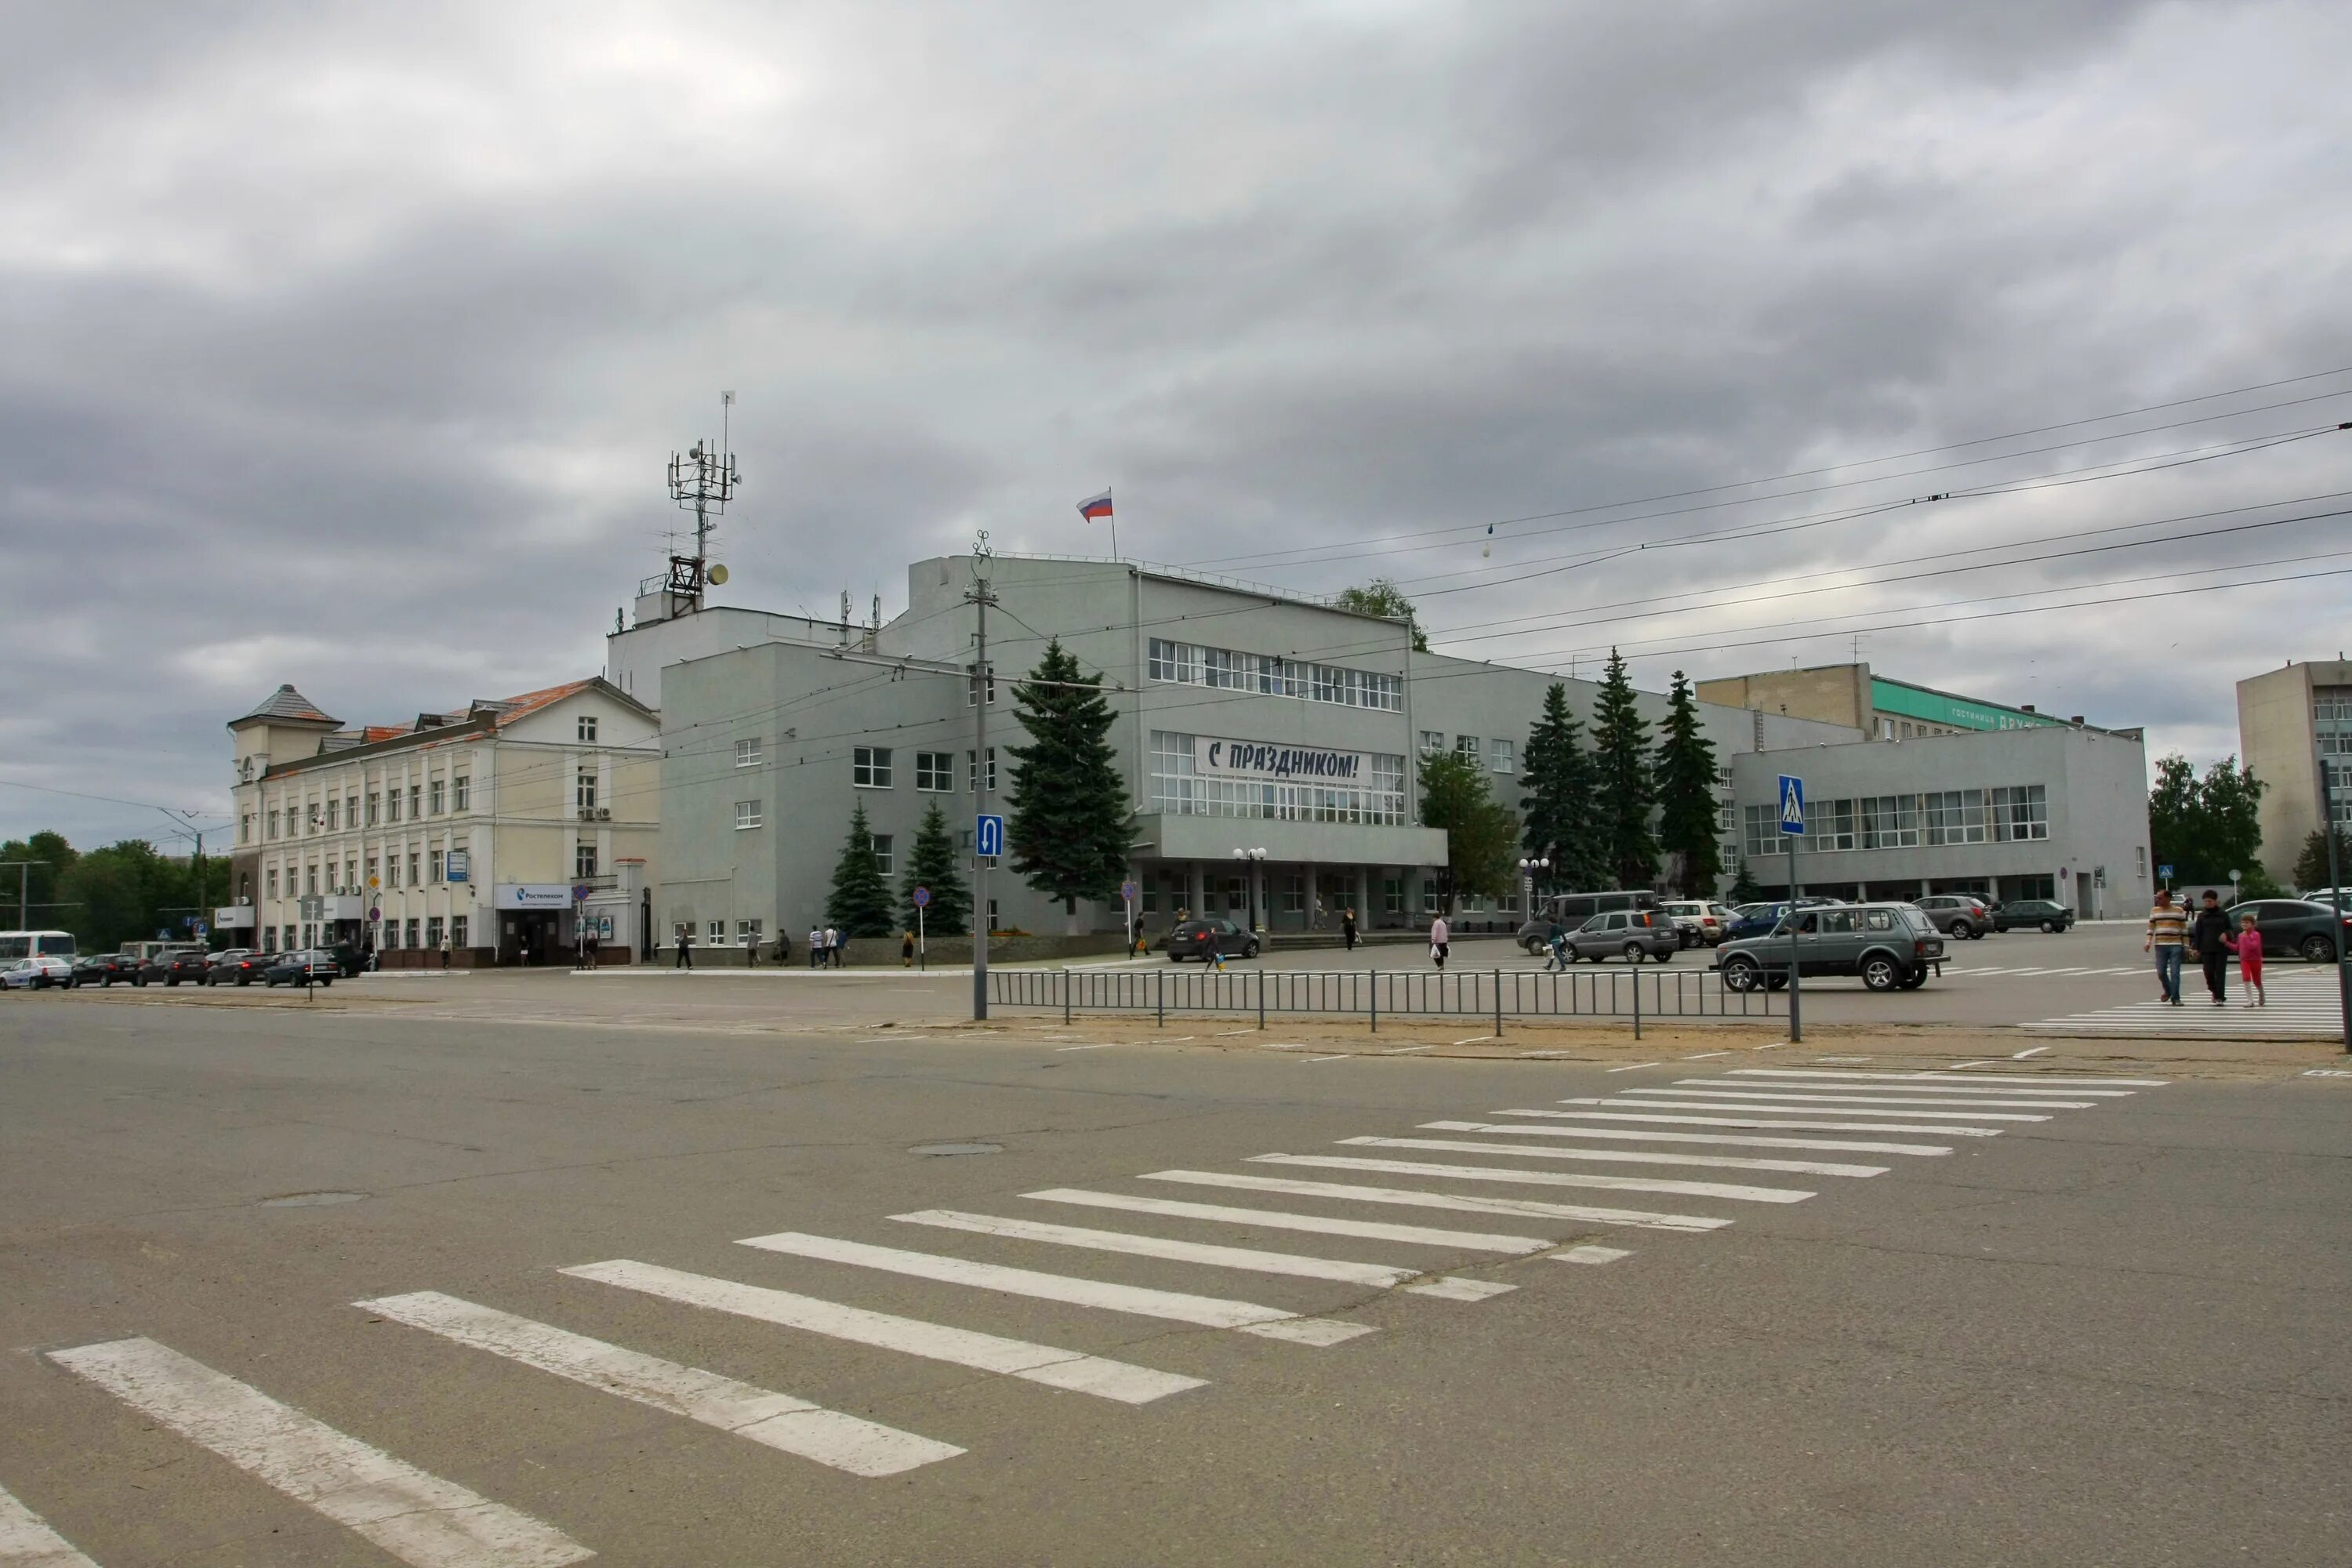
2104	1334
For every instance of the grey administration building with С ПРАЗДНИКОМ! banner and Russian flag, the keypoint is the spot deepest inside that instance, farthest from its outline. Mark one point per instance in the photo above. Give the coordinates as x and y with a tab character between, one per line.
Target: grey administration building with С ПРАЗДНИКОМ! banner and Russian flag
1264	721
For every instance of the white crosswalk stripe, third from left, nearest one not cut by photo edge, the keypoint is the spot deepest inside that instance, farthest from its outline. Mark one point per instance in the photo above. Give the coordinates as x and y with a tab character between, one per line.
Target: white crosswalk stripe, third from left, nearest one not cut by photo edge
777	1421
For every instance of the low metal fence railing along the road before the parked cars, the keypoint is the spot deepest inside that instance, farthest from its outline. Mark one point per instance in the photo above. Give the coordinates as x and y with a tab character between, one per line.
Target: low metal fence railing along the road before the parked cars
1497	996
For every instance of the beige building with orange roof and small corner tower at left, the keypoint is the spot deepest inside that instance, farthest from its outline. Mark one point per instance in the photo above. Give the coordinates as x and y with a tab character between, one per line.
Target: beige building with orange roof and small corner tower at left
474	826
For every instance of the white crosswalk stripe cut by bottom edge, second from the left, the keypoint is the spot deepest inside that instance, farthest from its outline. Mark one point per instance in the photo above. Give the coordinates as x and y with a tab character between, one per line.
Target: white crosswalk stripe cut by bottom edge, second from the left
410	1515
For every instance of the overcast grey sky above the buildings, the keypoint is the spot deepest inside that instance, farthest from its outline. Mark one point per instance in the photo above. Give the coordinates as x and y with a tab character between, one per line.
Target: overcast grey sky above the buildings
345	344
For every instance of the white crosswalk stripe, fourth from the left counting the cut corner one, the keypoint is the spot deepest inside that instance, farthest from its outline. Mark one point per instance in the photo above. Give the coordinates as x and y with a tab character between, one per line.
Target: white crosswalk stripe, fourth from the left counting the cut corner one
1057	1369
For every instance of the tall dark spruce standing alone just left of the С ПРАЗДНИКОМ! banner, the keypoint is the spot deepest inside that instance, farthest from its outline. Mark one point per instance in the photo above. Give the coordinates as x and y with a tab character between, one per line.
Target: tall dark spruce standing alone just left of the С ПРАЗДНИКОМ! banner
1067	810
